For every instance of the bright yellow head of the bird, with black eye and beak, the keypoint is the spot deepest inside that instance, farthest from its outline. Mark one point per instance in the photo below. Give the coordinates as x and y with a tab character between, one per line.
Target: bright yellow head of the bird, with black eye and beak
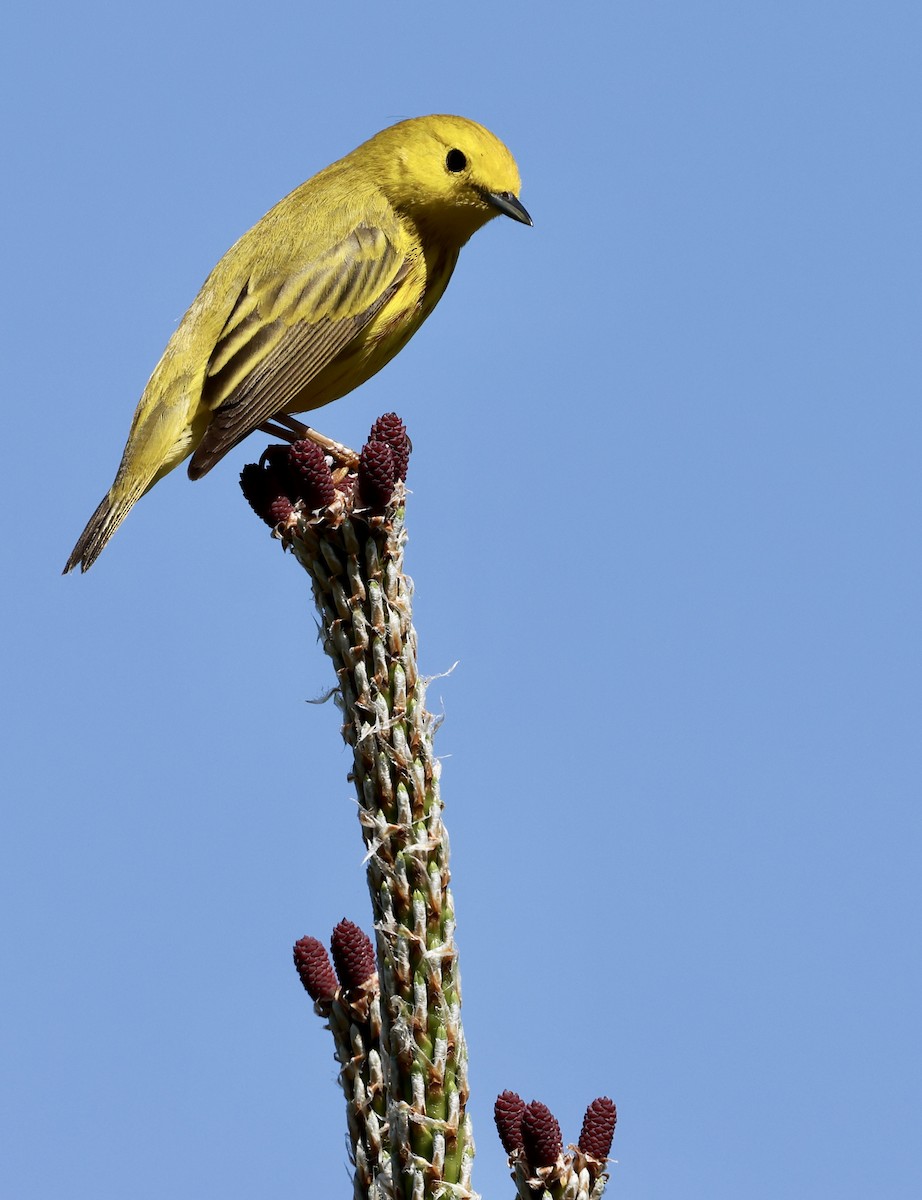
447	173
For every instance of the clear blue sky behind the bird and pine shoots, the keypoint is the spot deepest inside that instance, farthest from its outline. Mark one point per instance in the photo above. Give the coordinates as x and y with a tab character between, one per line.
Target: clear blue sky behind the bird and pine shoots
666	517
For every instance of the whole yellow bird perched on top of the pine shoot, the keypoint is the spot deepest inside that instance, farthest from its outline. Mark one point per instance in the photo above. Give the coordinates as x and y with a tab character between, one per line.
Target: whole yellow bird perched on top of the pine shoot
315	299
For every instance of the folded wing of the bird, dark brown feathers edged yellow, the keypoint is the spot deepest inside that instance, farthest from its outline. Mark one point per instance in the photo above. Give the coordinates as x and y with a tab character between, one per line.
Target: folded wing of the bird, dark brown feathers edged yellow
284	332
